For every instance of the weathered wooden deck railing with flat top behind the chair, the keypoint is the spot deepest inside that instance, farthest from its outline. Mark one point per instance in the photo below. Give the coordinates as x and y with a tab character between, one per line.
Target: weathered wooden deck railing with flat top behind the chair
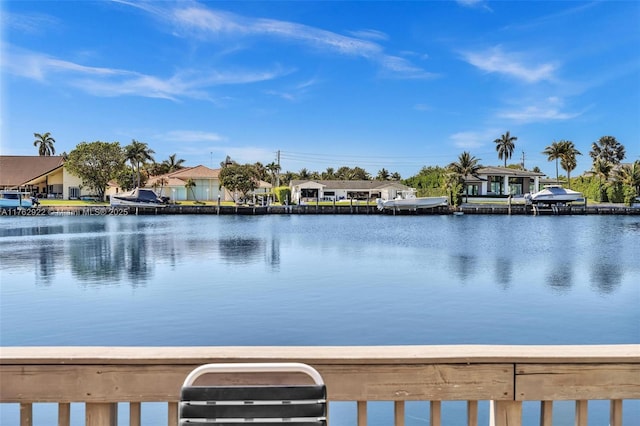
102	377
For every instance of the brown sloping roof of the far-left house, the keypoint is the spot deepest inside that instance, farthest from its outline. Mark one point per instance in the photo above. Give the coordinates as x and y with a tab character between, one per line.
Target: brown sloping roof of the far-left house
16	170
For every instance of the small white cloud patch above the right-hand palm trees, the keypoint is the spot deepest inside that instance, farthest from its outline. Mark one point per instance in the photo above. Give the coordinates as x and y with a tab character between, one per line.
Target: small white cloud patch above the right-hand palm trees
512	64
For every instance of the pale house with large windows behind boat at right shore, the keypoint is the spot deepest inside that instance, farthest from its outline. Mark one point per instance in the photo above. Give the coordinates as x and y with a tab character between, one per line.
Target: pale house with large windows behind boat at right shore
496	181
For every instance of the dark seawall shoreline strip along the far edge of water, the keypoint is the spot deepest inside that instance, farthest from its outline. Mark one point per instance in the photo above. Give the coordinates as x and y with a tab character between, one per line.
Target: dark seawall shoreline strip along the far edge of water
320	209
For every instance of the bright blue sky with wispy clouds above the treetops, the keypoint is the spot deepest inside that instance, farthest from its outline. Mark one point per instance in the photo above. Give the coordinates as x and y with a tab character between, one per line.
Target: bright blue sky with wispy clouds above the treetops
399	85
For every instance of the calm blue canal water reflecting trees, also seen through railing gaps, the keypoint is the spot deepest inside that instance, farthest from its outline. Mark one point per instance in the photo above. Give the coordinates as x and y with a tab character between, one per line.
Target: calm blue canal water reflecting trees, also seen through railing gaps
322	280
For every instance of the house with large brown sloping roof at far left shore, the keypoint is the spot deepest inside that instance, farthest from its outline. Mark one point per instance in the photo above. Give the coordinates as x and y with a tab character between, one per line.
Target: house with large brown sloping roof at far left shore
44	176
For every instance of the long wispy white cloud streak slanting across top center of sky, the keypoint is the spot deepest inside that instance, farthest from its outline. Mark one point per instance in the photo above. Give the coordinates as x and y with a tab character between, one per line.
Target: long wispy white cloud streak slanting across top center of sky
191	19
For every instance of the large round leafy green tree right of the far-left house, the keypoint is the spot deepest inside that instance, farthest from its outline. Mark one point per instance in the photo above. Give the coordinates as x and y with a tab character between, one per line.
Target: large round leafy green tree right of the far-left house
96	163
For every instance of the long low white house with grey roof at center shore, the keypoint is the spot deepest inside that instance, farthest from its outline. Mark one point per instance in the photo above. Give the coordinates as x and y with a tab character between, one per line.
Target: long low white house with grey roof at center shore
337	190
